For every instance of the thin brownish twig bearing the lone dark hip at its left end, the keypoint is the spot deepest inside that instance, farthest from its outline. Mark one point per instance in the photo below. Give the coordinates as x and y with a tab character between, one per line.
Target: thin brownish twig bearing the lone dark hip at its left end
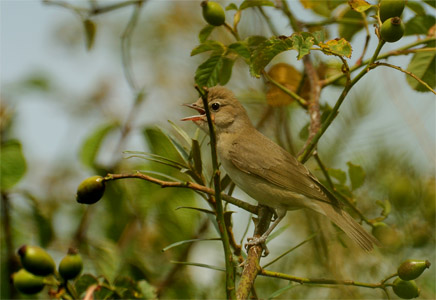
189	185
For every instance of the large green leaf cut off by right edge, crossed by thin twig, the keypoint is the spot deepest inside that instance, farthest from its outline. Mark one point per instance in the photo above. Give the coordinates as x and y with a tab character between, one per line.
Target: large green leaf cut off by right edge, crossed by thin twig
423	65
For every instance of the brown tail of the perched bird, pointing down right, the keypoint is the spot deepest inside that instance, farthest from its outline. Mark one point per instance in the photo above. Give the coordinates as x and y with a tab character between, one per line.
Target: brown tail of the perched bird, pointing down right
353	229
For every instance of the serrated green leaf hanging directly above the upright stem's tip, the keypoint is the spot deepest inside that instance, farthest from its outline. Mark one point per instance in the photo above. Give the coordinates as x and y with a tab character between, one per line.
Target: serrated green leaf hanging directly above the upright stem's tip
207	74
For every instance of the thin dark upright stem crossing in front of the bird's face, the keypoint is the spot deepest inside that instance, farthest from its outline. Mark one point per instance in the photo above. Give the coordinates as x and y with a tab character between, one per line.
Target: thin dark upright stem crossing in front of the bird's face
228	256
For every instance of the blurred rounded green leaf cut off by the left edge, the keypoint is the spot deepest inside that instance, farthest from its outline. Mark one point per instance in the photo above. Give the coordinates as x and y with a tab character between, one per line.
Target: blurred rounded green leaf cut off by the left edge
13	164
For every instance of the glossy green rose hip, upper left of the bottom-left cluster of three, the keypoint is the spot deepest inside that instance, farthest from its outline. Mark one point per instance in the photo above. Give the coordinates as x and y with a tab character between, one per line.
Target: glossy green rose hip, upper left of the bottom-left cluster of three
36	260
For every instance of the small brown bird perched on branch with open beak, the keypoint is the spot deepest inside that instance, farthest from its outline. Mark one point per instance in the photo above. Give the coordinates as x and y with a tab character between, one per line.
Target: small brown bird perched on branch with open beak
267	172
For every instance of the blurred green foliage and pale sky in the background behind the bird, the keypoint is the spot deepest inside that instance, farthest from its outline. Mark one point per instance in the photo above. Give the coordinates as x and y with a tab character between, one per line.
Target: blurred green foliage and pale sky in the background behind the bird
384	127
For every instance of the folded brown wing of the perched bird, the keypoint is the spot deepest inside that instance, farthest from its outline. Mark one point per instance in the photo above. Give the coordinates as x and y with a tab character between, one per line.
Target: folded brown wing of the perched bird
277	166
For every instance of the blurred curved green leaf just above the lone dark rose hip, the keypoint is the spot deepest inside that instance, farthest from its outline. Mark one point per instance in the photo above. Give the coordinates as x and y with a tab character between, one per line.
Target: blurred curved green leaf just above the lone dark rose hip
91	145
